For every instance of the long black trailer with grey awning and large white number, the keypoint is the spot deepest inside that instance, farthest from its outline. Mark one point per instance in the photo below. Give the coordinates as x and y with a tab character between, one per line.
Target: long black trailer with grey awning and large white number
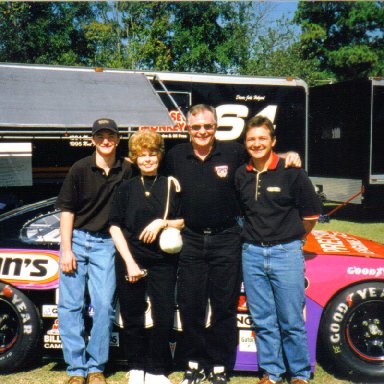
46	113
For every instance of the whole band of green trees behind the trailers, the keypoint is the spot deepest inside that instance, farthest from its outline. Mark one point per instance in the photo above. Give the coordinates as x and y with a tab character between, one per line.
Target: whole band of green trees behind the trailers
337	39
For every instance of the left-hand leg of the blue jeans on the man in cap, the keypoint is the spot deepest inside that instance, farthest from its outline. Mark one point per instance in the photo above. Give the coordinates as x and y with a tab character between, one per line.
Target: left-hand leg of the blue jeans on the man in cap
71	307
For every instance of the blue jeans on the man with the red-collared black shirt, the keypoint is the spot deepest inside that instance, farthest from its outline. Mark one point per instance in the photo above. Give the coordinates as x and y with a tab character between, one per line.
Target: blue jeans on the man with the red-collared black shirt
274	284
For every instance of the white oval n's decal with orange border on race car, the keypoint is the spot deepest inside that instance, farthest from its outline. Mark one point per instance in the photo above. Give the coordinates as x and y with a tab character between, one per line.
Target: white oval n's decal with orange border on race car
32	269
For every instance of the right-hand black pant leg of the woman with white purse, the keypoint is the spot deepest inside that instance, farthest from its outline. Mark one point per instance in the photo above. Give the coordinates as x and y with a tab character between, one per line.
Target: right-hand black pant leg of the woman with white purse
161	282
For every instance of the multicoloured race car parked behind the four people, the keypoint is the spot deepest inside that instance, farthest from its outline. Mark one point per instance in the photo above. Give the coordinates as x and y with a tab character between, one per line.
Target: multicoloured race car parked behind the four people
344	297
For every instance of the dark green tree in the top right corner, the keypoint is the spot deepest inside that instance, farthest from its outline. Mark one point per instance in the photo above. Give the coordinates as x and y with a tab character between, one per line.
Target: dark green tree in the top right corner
345	37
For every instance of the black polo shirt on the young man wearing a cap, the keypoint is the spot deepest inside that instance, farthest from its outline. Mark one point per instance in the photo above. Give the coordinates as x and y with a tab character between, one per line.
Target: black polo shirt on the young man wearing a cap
87	192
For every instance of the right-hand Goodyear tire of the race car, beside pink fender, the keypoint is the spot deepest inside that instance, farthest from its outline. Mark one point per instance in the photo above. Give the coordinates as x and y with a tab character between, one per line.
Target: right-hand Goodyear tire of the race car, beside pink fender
352	331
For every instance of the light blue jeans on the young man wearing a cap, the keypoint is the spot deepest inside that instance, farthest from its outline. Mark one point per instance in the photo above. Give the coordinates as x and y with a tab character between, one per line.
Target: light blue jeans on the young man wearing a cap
95	255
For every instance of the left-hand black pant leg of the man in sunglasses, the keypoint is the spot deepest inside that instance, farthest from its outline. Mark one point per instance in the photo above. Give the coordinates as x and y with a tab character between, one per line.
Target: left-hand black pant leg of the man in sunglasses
192	297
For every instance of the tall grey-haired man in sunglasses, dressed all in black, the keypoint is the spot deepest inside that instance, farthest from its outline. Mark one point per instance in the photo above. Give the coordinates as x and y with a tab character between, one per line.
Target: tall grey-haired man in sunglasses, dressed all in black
209	263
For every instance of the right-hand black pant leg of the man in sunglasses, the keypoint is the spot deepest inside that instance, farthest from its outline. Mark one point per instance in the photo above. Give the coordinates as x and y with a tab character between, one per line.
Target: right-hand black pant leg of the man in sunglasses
223	287
